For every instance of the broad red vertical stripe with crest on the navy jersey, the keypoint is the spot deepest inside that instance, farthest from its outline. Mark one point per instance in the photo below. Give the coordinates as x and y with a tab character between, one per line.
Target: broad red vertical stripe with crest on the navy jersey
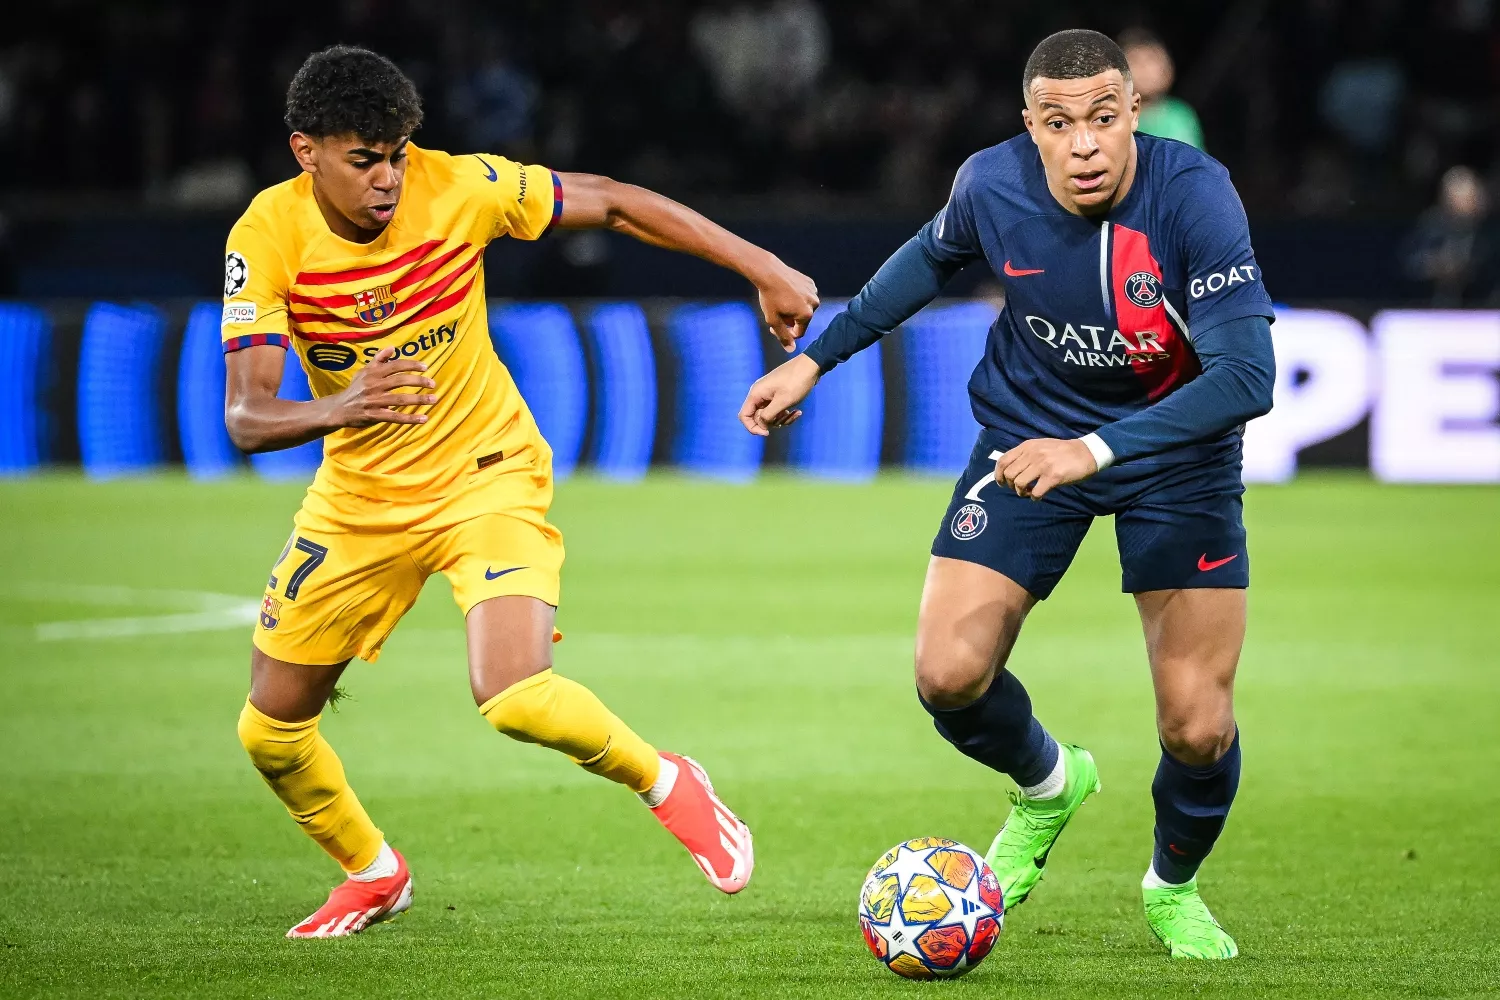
1160	356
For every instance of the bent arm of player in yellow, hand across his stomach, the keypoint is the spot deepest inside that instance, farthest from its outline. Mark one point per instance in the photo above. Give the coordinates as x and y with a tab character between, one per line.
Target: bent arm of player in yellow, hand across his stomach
259	421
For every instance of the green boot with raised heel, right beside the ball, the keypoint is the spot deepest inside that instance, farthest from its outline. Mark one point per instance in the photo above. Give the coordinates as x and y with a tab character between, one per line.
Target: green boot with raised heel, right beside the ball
1021	849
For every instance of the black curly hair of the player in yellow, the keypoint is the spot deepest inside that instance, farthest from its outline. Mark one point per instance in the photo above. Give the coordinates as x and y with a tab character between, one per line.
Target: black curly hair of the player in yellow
349	91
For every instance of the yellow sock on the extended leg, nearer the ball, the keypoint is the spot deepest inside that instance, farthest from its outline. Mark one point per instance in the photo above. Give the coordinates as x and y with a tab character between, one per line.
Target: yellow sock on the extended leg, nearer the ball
568	717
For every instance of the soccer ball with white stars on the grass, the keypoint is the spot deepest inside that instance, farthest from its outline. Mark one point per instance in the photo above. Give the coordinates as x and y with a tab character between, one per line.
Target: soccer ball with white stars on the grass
931	909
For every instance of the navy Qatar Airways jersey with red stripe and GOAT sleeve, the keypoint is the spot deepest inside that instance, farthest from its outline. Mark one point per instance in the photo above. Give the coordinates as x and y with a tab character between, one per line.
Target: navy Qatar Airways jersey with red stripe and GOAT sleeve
1100	313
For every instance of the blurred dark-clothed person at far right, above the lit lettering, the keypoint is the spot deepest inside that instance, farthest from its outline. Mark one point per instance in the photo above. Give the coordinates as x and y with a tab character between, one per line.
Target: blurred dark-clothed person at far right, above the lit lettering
1450	247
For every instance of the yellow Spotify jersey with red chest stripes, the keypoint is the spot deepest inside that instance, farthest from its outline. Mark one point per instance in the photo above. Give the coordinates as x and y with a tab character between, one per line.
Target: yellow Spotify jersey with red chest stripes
421	289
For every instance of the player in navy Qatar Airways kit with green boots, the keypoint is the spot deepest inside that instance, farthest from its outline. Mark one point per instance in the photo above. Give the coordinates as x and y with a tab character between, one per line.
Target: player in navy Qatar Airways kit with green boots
1133	347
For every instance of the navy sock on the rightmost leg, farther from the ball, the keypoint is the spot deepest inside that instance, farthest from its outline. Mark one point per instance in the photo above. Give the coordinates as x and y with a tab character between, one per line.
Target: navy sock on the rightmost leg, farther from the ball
1192	807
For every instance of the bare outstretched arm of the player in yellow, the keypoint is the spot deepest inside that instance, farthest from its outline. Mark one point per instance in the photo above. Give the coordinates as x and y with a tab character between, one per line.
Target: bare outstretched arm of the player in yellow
788	298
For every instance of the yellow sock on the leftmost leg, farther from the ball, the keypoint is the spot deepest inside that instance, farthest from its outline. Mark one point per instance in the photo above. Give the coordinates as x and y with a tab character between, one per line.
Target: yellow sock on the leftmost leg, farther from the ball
307	776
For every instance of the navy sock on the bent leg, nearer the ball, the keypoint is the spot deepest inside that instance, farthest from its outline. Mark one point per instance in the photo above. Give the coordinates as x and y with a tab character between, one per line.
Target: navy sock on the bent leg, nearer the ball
1000	731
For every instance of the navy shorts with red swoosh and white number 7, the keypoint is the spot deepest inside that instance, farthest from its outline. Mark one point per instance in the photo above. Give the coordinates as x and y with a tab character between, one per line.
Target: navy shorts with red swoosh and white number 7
1178	527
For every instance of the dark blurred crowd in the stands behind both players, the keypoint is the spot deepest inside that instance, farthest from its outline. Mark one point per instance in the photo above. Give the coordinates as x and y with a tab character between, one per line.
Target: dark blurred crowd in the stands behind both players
1324	110
